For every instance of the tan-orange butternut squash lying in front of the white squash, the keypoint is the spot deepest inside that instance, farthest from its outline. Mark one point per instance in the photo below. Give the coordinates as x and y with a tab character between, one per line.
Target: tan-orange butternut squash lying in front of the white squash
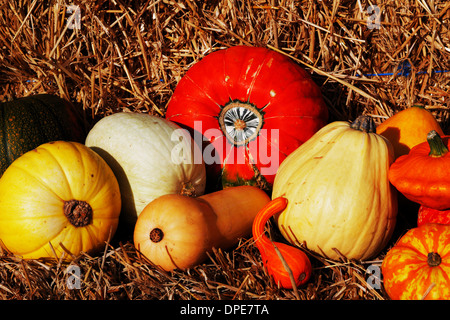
176	231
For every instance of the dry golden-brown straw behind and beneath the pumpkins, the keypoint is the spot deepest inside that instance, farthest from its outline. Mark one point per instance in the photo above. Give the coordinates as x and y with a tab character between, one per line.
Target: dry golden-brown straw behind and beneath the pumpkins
129	56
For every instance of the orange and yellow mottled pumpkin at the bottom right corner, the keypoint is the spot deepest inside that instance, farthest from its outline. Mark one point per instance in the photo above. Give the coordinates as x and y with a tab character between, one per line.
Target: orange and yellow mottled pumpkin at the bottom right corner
418	266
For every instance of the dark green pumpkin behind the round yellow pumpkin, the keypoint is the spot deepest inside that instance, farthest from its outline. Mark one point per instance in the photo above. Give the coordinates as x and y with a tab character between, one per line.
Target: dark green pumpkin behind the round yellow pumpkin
29	122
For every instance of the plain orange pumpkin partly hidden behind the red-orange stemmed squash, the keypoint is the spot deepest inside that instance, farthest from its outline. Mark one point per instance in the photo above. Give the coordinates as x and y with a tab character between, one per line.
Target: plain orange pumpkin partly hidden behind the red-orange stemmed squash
408	128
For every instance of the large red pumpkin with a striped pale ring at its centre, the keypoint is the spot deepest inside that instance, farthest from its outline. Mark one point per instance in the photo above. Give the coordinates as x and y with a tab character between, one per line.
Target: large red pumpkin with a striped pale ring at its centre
249	107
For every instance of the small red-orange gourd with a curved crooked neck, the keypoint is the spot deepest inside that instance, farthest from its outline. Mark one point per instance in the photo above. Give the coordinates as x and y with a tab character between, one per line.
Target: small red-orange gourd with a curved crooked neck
286	264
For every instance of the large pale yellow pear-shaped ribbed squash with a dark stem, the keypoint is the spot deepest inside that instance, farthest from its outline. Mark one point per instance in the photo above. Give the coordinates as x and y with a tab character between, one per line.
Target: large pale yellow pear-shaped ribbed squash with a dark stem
338	192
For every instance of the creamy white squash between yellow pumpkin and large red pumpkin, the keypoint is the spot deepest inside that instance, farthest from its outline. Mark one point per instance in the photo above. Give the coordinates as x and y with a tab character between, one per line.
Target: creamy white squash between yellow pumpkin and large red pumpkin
150	157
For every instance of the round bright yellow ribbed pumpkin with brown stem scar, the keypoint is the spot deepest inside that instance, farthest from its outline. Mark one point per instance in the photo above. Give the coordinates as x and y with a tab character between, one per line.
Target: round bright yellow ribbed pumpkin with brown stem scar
61	193
